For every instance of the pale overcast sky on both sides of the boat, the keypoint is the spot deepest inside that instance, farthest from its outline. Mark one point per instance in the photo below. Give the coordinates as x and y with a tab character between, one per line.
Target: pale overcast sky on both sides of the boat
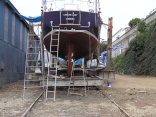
122	11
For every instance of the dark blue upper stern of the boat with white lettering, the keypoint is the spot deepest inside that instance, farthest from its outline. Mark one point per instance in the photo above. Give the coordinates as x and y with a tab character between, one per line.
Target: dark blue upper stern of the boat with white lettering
85	20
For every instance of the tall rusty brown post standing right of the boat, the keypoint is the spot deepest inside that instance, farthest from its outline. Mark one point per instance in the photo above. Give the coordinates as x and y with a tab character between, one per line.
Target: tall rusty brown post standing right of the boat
109	45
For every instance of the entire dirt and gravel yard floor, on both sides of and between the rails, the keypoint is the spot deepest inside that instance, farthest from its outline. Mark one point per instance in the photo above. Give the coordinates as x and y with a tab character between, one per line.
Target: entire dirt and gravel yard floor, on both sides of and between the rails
134	94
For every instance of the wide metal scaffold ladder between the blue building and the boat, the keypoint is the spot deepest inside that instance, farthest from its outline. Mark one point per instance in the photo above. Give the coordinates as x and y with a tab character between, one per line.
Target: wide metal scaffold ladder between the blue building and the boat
34	63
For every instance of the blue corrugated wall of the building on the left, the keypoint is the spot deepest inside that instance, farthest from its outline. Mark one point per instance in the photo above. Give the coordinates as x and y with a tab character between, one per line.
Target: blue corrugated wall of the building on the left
13	36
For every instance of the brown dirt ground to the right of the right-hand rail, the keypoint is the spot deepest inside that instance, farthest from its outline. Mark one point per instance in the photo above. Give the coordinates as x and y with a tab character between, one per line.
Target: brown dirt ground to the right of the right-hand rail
135	94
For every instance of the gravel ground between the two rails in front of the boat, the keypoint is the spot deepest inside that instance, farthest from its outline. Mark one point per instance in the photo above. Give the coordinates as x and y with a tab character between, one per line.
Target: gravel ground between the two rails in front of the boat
92	105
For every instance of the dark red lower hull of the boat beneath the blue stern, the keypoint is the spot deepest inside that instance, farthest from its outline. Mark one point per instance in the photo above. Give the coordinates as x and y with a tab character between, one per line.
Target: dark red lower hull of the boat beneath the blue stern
83	43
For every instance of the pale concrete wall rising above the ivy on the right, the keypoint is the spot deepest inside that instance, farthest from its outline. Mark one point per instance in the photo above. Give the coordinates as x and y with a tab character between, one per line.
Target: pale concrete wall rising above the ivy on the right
125	39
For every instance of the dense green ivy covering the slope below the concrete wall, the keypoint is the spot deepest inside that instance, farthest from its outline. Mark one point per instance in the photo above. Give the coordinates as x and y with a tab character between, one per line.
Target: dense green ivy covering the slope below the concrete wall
140	57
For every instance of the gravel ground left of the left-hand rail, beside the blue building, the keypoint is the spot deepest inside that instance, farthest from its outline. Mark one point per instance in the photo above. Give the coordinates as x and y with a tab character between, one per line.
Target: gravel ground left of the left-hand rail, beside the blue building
12	103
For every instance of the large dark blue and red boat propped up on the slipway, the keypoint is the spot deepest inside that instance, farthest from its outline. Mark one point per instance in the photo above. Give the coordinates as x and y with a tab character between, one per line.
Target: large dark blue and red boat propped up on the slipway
77	29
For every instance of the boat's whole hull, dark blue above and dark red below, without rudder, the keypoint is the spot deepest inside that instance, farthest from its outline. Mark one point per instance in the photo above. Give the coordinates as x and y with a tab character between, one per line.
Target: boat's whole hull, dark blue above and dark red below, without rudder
84	40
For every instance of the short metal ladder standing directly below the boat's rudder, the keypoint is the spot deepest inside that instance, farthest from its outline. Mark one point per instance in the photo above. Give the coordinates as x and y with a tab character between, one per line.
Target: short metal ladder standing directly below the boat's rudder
71	81
